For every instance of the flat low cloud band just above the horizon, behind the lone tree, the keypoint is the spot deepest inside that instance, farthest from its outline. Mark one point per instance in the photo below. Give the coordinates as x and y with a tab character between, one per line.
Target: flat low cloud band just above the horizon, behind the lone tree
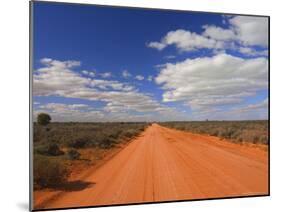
111	112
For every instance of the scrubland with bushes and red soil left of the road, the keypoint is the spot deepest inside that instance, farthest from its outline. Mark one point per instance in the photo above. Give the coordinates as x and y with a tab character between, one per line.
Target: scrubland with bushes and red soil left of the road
58	145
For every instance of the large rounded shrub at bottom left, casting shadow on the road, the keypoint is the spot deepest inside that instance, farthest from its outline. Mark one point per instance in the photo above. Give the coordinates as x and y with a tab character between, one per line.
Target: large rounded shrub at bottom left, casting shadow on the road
49	173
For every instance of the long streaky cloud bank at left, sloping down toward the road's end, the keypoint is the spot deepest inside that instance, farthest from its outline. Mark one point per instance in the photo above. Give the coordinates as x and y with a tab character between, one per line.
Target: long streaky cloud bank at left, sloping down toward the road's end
57	78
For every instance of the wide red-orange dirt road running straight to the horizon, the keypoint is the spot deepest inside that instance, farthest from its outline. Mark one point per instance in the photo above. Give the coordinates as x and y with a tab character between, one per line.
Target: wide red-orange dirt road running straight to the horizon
164	165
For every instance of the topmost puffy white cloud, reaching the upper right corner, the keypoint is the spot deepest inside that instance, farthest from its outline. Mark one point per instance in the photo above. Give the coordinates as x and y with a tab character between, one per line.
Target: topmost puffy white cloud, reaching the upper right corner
242	31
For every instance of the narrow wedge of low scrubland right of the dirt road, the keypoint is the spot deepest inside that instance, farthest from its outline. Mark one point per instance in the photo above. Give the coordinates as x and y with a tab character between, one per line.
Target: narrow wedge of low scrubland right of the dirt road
236	131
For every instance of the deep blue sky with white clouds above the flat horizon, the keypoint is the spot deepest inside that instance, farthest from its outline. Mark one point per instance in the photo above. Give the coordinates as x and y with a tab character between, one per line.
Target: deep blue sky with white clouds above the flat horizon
94	63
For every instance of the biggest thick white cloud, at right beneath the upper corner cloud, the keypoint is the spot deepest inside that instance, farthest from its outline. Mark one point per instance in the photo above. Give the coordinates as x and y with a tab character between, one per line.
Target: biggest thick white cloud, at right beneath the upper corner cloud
213	81
